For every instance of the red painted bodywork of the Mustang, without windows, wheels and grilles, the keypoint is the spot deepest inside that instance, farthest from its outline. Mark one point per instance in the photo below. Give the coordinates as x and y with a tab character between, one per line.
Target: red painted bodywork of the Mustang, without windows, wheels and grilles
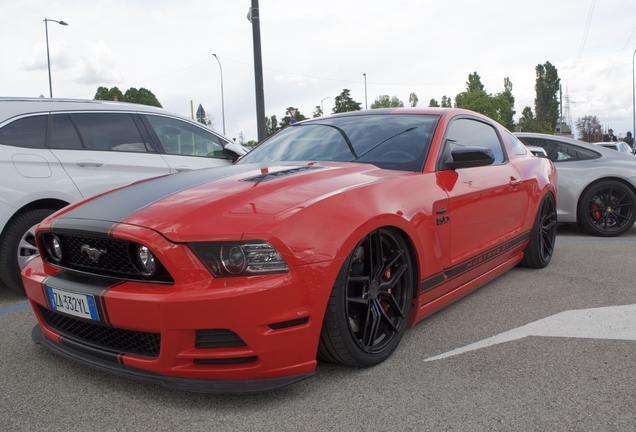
463	230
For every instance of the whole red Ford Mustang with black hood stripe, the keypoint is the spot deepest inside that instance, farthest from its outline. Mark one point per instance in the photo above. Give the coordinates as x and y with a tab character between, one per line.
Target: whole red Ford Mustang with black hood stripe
326	241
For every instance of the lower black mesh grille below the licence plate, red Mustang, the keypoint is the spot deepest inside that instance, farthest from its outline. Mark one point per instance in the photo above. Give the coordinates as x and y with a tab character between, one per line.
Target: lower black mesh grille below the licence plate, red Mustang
102	337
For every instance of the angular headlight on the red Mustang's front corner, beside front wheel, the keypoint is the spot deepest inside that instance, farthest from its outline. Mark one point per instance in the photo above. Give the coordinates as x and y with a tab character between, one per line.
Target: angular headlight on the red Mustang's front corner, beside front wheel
240	258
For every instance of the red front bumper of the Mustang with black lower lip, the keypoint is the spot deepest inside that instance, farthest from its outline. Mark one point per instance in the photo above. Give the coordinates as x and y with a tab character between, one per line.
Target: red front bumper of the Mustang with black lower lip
275	318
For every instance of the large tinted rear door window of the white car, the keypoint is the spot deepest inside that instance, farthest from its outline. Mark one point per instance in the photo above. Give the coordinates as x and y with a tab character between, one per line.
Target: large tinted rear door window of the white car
109	132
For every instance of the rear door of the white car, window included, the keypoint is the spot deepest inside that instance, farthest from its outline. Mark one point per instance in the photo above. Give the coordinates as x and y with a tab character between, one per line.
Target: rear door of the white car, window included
108	152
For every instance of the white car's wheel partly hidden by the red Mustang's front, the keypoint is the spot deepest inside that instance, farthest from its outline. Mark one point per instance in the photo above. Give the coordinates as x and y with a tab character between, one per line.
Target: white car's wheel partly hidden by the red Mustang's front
17	246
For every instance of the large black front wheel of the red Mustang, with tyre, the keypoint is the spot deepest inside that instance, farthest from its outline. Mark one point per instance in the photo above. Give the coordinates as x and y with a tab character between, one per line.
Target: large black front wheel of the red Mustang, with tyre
370	302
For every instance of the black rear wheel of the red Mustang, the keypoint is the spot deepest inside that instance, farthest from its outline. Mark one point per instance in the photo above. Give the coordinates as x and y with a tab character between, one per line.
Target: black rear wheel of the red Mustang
539	251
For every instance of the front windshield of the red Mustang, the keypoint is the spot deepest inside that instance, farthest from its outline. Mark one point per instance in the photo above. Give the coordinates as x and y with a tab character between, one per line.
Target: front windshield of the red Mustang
399	142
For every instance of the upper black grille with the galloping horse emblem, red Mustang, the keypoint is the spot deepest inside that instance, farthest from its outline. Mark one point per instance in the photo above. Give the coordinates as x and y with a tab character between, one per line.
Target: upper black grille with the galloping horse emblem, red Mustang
115	258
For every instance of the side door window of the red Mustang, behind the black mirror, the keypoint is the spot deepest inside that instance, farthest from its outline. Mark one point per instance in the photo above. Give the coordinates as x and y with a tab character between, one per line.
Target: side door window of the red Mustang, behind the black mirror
473	133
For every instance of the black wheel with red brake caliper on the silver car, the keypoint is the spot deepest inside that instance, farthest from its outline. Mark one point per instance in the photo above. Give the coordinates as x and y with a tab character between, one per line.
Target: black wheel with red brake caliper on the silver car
607	209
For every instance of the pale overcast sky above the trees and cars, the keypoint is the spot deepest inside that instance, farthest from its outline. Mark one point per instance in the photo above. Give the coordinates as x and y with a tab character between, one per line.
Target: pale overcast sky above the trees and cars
312	50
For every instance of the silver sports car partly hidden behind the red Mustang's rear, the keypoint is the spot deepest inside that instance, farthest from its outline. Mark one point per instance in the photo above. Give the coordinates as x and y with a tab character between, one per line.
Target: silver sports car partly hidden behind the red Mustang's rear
597	185
